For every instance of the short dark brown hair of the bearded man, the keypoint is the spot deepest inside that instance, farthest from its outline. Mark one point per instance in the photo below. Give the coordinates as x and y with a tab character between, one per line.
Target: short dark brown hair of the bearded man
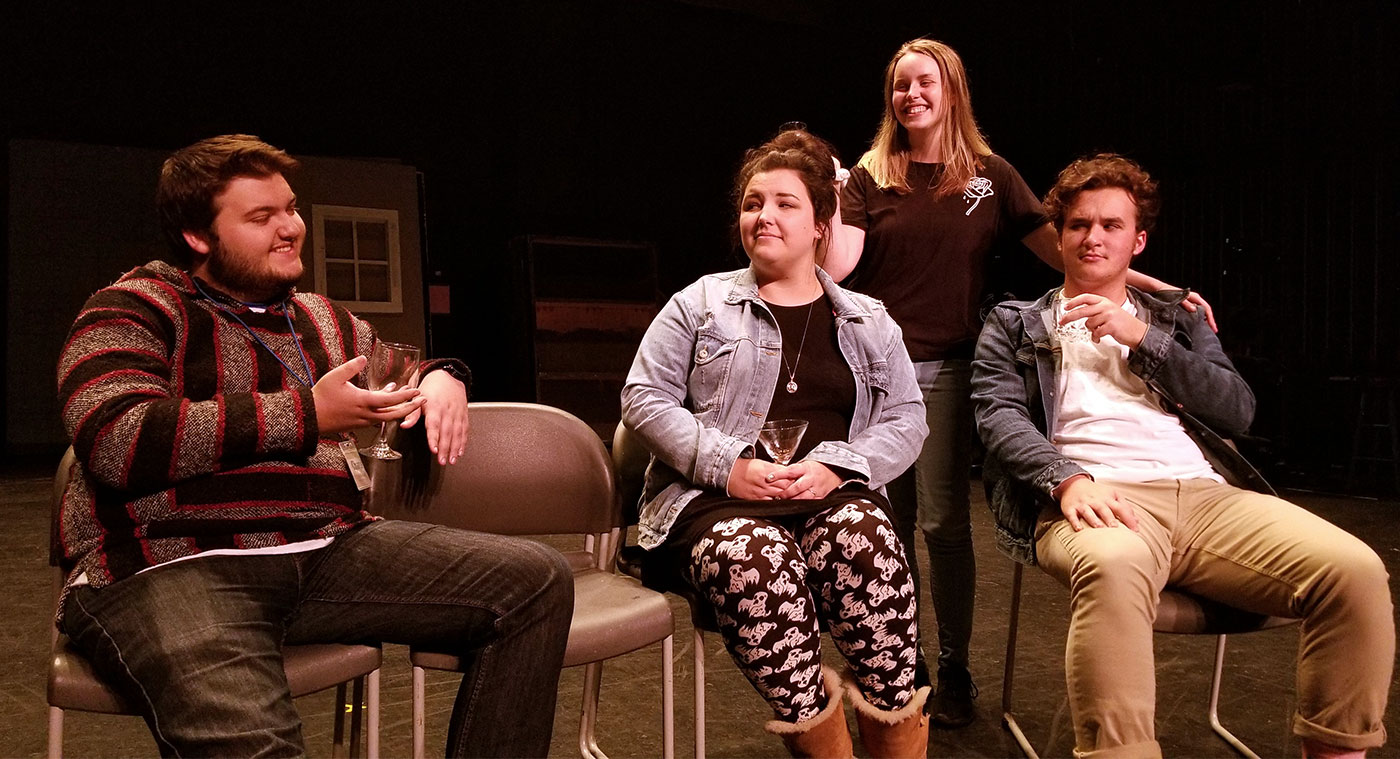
192	177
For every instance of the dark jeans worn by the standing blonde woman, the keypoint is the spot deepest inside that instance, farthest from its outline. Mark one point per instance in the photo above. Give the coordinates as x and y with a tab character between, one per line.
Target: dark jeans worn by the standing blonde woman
933	496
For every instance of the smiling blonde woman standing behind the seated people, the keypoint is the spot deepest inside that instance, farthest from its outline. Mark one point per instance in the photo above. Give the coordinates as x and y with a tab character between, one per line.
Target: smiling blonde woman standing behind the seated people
919	216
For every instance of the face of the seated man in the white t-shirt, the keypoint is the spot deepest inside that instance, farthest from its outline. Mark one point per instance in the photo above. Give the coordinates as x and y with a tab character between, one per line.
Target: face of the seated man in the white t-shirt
1098	243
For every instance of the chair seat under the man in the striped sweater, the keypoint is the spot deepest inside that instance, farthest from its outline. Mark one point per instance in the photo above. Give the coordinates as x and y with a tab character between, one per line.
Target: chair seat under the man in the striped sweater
310	669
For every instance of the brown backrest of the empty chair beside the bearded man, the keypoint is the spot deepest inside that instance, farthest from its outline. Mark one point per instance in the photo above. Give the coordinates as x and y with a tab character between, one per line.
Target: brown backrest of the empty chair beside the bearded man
528	470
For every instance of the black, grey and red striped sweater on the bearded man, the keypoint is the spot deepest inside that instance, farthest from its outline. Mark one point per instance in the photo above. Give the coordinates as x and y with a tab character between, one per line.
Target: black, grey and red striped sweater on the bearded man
190	435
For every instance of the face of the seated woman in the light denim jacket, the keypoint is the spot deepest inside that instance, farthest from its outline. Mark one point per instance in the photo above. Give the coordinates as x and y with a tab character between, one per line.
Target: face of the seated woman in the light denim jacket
776	223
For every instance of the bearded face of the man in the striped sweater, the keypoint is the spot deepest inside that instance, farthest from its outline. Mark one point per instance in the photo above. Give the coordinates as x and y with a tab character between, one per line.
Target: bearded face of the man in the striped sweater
253	251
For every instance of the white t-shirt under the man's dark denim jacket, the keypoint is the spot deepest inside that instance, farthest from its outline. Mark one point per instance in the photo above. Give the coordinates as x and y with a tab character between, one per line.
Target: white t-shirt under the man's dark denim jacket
1109	421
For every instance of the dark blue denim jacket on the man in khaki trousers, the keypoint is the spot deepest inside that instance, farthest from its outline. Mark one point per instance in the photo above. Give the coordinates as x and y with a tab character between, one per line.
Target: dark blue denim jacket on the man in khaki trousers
1014	394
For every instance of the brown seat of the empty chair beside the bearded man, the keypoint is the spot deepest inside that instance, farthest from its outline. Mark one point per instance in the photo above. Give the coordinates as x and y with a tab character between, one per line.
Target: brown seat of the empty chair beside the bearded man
612	615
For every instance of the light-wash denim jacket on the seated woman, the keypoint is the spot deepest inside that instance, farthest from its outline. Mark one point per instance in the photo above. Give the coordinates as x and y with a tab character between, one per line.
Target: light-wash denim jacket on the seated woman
703	380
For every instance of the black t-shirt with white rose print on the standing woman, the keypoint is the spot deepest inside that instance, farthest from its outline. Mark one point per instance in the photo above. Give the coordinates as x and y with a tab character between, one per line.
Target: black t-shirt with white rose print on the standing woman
926	257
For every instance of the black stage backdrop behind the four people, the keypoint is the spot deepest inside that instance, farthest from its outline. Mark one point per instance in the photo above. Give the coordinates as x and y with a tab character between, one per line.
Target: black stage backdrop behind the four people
1270	125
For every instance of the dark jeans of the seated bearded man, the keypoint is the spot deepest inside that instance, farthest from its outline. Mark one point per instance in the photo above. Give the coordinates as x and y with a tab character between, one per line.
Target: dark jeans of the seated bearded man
198	645
